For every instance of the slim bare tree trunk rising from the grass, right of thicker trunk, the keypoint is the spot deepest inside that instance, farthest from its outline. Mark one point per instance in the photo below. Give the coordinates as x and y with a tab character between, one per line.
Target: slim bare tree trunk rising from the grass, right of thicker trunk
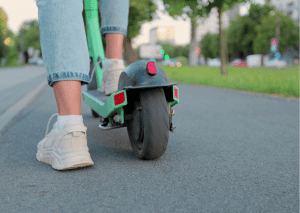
222	44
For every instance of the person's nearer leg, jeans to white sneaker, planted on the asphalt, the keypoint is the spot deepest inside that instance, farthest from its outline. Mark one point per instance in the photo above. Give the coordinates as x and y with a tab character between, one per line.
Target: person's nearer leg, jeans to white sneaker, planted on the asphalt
66	56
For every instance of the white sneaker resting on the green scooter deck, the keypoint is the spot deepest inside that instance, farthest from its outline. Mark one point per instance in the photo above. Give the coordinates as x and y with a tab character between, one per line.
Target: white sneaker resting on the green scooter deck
112	70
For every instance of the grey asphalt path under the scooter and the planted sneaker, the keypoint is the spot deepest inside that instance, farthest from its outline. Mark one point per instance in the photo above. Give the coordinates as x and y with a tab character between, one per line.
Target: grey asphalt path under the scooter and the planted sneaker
231	152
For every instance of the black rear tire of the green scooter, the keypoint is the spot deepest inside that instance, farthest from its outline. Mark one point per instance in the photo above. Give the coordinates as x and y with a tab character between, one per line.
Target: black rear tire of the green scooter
148	130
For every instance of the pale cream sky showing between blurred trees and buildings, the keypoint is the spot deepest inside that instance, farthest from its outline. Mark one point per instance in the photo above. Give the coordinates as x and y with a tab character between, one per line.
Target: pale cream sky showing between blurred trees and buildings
19	11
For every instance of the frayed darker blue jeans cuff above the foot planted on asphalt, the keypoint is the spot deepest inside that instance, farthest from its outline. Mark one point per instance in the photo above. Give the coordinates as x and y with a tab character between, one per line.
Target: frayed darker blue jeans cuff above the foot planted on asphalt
68	75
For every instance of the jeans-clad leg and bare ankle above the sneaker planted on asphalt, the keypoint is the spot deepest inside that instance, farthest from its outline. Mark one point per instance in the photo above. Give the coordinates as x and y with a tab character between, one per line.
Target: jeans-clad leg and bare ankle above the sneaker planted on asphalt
65	51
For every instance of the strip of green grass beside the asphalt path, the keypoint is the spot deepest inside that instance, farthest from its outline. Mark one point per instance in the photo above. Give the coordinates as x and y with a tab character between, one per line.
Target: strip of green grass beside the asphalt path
283	82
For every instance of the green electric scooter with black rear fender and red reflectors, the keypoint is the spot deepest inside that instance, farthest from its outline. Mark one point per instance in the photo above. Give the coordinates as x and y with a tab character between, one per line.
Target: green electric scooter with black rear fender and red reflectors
143	102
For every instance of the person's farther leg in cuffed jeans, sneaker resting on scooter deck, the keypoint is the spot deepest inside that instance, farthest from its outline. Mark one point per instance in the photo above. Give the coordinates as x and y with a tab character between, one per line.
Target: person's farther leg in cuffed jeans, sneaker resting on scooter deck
114	22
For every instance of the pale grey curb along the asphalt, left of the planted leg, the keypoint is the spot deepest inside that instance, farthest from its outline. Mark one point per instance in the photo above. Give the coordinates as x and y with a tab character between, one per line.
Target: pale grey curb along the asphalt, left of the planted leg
14	110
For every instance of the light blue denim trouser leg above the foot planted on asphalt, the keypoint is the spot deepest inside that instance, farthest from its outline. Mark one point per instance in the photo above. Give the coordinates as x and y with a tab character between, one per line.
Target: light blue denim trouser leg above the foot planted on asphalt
63	40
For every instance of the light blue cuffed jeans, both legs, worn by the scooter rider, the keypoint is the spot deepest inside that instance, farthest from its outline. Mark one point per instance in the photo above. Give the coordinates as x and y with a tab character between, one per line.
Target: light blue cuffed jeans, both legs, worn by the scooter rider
63	39
